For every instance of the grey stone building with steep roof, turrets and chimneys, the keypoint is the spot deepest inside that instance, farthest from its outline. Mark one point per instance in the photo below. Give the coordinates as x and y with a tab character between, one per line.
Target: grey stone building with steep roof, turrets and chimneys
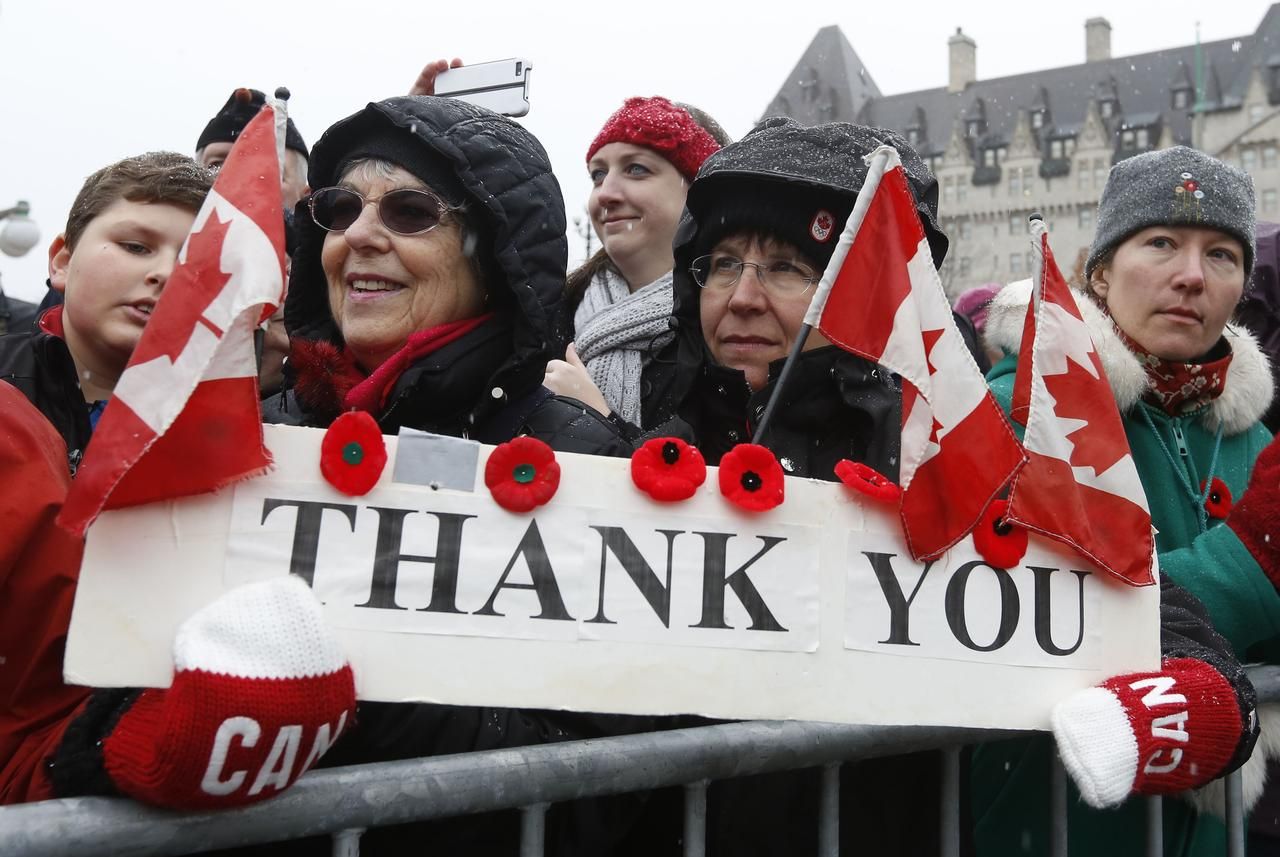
1044	141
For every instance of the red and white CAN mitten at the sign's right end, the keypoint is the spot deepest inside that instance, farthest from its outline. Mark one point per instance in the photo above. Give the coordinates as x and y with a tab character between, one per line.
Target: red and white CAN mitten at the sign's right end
1150	734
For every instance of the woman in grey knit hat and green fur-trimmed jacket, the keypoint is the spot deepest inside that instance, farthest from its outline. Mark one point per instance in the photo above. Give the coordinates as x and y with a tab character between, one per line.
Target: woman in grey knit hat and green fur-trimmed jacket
1172	258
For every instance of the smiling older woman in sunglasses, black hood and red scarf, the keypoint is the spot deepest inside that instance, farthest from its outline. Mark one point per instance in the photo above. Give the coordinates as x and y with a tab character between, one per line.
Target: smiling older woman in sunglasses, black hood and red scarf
431	259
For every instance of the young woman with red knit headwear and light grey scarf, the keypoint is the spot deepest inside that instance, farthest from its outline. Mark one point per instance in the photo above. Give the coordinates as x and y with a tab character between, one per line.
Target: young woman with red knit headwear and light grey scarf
619	304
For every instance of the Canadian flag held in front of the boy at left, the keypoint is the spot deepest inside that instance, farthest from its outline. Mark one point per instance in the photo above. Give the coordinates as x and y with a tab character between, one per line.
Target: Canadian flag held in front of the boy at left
185	416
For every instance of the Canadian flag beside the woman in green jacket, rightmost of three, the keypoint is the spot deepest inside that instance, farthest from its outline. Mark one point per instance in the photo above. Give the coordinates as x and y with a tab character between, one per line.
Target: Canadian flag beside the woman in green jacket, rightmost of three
1081	485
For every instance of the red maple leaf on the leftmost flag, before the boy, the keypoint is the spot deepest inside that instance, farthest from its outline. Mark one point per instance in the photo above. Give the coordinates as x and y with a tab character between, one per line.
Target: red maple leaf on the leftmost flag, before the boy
199	281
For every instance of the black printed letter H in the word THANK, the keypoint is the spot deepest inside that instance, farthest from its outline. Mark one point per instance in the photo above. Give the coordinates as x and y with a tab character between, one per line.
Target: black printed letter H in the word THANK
387	560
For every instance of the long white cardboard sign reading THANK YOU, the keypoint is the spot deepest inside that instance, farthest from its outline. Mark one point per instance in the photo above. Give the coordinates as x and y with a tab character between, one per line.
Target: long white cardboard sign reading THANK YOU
605	601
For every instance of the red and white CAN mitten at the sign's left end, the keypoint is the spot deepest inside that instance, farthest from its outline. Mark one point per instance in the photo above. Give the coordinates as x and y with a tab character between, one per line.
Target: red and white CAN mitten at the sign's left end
260	693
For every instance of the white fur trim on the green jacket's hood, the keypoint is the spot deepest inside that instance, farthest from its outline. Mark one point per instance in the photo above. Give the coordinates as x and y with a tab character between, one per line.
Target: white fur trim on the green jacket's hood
1245	398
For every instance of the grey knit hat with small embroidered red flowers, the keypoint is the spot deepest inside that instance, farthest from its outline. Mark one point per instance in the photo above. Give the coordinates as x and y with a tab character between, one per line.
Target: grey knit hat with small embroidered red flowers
1174	187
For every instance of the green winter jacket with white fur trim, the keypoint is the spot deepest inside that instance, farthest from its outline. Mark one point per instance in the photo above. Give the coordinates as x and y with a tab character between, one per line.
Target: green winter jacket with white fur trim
1011	780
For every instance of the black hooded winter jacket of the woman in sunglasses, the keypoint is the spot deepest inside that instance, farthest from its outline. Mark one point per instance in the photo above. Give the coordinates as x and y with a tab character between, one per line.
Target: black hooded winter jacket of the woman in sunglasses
484	386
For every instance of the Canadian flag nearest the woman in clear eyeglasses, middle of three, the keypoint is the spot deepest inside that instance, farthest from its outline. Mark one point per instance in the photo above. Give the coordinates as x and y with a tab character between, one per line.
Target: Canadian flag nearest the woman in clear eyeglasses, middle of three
881	299
